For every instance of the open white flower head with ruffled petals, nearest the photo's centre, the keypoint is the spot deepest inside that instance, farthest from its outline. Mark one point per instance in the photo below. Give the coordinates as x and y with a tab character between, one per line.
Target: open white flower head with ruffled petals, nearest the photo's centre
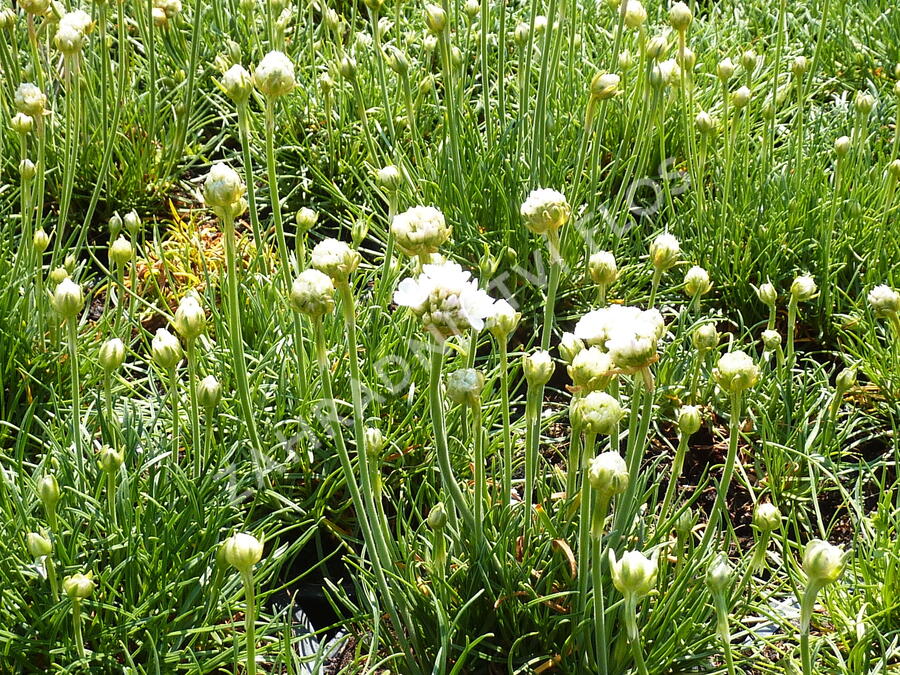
446	298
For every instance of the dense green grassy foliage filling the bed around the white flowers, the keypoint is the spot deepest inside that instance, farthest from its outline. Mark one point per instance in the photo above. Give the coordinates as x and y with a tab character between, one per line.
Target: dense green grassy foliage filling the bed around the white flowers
135	121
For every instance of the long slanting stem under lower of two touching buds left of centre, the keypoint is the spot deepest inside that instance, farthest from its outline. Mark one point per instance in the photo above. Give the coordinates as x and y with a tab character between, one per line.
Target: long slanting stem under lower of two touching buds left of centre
365	515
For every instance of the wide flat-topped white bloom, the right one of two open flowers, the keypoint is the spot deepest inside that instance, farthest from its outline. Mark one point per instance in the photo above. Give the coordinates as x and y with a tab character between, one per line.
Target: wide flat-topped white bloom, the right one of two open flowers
629	334
